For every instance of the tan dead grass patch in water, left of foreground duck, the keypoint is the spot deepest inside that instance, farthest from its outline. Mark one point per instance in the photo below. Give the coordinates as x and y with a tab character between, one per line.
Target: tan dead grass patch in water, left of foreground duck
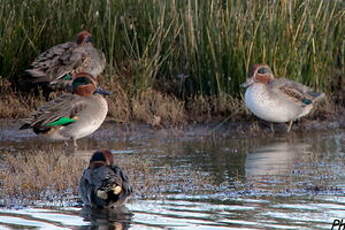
31	173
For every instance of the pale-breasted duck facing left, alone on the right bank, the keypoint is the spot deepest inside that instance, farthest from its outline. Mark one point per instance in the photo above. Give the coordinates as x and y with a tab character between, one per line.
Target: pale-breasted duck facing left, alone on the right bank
277	100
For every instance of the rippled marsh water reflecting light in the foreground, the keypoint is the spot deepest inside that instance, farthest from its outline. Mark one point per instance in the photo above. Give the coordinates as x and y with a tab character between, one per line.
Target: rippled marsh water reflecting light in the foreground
281	181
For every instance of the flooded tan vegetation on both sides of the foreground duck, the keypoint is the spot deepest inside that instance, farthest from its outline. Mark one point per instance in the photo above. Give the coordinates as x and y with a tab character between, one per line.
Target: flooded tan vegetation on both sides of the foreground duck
33	174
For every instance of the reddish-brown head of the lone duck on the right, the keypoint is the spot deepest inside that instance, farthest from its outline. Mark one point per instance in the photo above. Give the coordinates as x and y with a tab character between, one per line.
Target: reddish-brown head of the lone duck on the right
259	74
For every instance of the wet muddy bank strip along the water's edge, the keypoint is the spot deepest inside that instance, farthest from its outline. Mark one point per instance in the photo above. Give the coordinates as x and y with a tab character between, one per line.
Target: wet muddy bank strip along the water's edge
134	131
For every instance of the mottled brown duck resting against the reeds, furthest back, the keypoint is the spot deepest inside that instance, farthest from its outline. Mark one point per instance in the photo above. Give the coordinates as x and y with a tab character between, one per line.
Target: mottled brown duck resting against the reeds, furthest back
55	67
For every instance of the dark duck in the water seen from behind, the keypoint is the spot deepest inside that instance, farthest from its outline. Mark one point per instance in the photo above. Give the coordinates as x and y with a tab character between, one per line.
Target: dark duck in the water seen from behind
104	185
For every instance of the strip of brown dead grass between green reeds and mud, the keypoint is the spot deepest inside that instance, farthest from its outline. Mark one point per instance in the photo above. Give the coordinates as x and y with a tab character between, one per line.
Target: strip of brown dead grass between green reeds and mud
156	108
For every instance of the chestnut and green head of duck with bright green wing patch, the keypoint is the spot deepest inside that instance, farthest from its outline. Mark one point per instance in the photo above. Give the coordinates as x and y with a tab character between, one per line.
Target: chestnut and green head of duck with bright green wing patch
84	84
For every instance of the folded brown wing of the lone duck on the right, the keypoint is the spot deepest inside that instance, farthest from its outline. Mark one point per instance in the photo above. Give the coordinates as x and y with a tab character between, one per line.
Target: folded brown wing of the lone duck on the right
295	91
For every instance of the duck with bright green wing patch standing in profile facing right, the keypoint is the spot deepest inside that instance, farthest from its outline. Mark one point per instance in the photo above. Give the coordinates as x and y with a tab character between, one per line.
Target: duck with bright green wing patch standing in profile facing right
71	116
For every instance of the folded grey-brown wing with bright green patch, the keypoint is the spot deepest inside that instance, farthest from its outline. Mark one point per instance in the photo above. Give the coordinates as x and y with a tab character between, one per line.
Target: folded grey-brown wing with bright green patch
61	111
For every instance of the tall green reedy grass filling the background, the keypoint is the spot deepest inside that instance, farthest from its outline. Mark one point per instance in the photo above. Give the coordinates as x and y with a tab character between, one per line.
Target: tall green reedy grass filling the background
151	43
